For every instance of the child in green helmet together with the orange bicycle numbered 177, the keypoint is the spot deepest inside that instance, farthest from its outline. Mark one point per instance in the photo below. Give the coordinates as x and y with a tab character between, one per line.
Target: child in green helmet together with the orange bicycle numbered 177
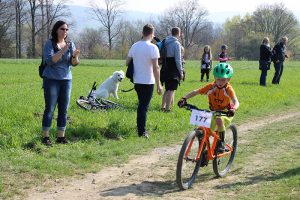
197	148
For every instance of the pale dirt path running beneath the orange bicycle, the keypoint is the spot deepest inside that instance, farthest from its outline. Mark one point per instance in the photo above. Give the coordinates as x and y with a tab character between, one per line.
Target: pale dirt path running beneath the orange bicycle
151	176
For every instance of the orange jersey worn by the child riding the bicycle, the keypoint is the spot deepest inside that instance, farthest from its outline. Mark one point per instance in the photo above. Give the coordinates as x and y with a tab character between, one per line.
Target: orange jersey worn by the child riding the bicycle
219	98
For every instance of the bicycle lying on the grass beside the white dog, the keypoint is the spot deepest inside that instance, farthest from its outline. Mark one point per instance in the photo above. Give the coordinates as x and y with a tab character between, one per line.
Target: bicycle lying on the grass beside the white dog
96	104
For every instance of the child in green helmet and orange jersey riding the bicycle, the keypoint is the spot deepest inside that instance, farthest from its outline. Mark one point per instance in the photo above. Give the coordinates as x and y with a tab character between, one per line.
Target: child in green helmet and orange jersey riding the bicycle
221	96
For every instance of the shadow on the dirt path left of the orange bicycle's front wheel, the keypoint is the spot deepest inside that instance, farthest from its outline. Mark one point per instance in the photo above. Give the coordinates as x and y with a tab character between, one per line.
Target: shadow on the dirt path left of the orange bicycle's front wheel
146	188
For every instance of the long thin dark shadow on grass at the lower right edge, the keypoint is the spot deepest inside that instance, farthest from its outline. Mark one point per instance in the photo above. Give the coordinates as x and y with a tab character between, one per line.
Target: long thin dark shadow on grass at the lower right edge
260	178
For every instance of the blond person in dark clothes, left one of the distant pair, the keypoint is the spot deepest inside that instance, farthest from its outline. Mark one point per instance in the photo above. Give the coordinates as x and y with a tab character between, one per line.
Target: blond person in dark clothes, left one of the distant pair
264	60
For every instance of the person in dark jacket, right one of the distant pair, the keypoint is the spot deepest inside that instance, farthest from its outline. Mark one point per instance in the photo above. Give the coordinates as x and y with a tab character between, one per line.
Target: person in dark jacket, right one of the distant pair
279	57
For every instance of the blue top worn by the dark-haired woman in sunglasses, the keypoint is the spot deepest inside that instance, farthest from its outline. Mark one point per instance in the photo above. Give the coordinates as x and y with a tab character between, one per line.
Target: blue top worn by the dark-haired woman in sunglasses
60	70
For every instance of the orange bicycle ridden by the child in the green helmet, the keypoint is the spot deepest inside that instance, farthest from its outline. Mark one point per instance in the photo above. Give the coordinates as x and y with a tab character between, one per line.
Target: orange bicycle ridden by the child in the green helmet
199	148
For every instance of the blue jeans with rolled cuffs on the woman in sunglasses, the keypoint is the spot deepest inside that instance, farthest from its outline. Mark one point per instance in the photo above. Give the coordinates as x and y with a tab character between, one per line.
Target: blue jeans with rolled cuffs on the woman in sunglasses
56	92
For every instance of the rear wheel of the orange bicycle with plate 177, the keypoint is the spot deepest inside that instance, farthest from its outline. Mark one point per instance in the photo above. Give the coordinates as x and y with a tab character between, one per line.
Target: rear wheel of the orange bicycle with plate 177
222	164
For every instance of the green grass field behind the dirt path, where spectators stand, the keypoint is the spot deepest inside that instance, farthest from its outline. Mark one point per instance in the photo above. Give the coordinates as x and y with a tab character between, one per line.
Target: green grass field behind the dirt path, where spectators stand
105	138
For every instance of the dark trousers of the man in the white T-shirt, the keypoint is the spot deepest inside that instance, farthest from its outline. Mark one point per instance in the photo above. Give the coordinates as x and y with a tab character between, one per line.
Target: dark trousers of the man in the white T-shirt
144	92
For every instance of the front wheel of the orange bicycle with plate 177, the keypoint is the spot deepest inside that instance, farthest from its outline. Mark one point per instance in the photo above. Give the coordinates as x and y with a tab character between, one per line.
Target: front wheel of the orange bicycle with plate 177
187	165
